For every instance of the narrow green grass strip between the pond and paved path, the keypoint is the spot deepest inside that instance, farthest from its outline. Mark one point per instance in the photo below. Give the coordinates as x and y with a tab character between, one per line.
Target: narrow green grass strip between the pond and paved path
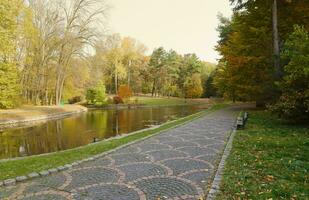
26	165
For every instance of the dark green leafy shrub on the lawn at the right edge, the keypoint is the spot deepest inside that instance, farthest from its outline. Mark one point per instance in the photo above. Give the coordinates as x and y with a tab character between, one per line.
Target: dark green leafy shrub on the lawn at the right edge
293	103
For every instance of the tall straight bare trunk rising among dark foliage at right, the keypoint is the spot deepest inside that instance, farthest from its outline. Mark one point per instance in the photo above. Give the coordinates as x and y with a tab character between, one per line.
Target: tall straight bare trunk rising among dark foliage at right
276	40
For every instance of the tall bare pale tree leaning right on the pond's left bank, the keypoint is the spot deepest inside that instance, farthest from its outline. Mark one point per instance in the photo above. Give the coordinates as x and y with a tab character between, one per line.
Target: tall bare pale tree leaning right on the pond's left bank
80	18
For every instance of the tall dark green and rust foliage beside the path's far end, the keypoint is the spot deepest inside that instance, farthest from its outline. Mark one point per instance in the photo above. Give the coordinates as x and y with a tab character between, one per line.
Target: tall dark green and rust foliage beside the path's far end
246	70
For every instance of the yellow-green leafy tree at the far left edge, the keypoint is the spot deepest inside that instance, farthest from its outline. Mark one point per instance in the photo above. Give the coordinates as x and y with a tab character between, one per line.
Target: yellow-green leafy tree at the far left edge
9	87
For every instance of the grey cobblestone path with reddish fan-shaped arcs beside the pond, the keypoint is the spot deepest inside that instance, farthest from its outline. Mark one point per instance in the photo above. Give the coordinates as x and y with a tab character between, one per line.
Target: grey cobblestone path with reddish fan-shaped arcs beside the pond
176	164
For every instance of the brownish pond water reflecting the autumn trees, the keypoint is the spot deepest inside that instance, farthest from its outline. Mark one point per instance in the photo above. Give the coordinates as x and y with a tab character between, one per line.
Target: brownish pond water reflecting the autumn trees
79	130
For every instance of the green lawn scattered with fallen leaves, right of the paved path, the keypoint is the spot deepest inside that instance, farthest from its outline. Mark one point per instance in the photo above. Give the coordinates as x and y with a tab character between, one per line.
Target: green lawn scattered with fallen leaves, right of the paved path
269	160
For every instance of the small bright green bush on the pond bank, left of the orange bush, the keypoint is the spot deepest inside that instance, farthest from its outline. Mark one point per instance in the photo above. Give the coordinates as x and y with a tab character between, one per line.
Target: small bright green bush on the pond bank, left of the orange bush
96	95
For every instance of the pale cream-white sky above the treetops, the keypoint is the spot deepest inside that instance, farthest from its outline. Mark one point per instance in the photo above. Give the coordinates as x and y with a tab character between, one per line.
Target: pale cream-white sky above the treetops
187	26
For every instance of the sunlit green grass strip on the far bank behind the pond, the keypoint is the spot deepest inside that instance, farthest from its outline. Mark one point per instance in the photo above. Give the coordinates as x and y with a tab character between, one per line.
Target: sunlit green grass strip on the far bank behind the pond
162	101
